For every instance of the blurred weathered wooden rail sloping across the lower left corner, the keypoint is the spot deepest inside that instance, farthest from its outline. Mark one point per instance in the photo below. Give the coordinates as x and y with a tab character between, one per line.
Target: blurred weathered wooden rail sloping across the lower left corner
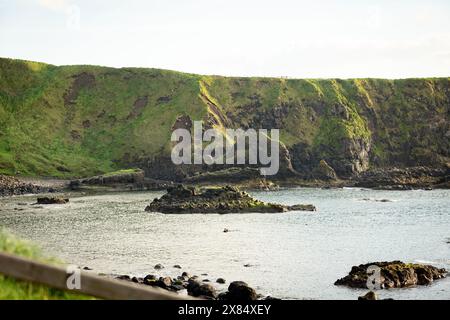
56	277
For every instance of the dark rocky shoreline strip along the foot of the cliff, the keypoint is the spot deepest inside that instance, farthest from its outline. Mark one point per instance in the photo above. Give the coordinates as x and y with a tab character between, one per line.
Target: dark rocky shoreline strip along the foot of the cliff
392	178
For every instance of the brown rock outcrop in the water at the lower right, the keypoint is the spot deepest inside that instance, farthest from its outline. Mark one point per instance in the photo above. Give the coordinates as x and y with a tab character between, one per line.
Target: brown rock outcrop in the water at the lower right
394	274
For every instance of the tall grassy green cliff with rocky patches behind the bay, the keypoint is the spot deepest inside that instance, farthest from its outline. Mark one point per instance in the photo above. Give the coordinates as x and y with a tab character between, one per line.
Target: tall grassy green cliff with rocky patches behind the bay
73	121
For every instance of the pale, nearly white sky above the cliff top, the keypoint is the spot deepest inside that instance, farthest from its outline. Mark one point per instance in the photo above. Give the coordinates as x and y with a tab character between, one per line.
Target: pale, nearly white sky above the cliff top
278	38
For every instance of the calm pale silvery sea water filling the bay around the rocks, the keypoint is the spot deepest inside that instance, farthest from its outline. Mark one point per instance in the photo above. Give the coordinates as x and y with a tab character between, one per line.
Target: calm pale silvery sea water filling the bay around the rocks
296	255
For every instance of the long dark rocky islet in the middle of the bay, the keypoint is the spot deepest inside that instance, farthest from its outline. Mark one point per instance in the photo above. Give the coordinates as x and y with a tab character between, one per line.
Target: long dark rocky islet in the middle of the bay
228	199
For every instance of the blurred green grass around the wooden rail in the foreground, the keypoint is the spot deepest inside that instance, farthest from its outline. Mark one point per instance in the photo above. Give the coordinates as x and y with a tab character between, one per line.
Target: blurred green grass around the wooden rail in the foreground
12	289
